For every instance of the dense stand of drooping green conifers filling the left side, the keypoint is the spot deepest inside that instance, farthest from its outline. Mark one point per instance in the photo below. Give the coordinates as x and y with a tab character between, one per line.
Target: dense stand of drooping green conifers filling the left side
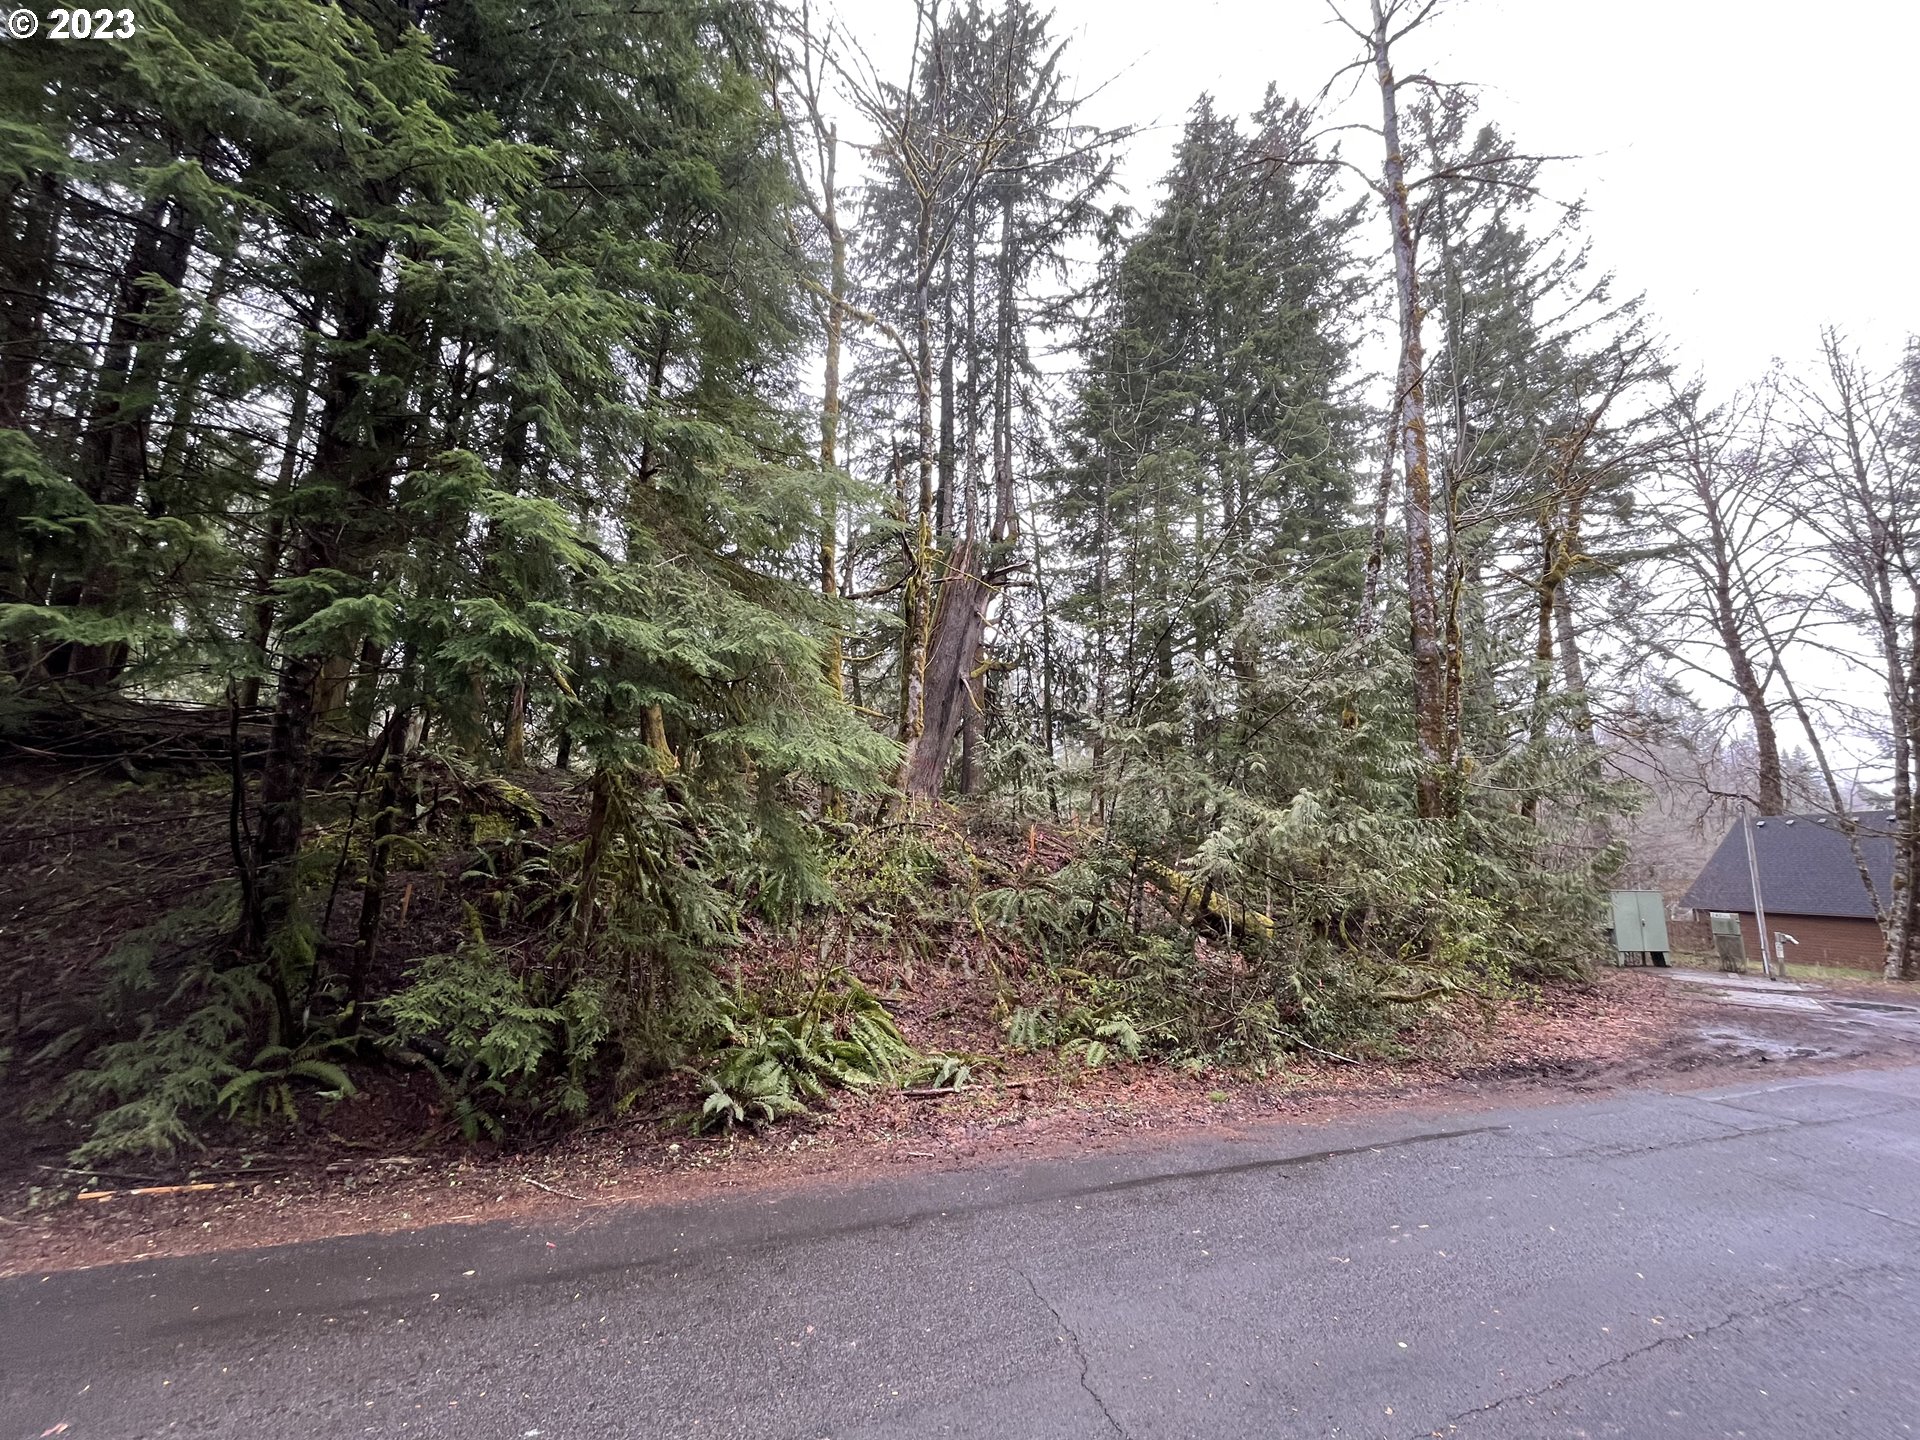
485	444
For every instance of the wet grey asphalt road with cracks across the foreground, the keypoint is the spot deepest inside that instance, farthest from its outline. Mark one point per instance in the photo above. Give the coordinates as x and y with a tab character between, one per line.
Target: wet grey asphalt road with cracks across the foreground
1742	1262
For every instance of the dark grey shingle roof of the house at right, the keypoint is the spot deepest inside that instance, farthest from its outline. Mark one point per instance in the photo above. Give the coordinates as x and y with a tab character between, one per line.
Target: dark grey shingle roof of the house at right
1806	869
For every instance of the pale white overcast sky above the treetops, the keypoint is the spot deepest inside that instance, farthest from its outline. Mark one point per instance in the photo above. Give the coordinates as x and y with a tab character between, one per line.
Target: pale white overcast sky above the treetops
1748	164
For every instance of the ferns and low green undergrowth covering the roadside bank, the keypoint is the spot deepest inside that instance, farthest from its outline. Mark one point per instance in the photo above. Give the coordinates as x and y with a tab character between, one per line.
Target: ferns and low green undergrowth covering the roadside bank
598	971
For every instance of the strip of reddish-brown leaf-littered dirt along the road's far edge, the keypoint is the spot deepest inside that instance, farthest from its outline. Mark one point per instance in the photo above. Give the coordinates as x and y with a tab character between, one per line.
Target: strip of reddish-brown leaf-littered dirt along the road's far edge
1629	1028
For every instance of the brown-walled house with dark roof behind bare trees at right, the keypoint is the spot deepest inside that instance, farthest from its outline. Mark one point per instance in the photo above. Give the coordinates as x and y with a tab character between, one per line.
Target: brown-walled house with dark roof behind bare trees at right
1810	884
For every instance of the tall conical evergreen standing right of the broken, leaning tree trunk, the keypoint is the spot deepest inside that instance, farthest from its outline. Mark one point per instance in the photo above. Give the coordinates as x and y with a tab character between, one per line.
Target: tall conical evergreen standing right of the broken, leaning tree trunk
1214	473
